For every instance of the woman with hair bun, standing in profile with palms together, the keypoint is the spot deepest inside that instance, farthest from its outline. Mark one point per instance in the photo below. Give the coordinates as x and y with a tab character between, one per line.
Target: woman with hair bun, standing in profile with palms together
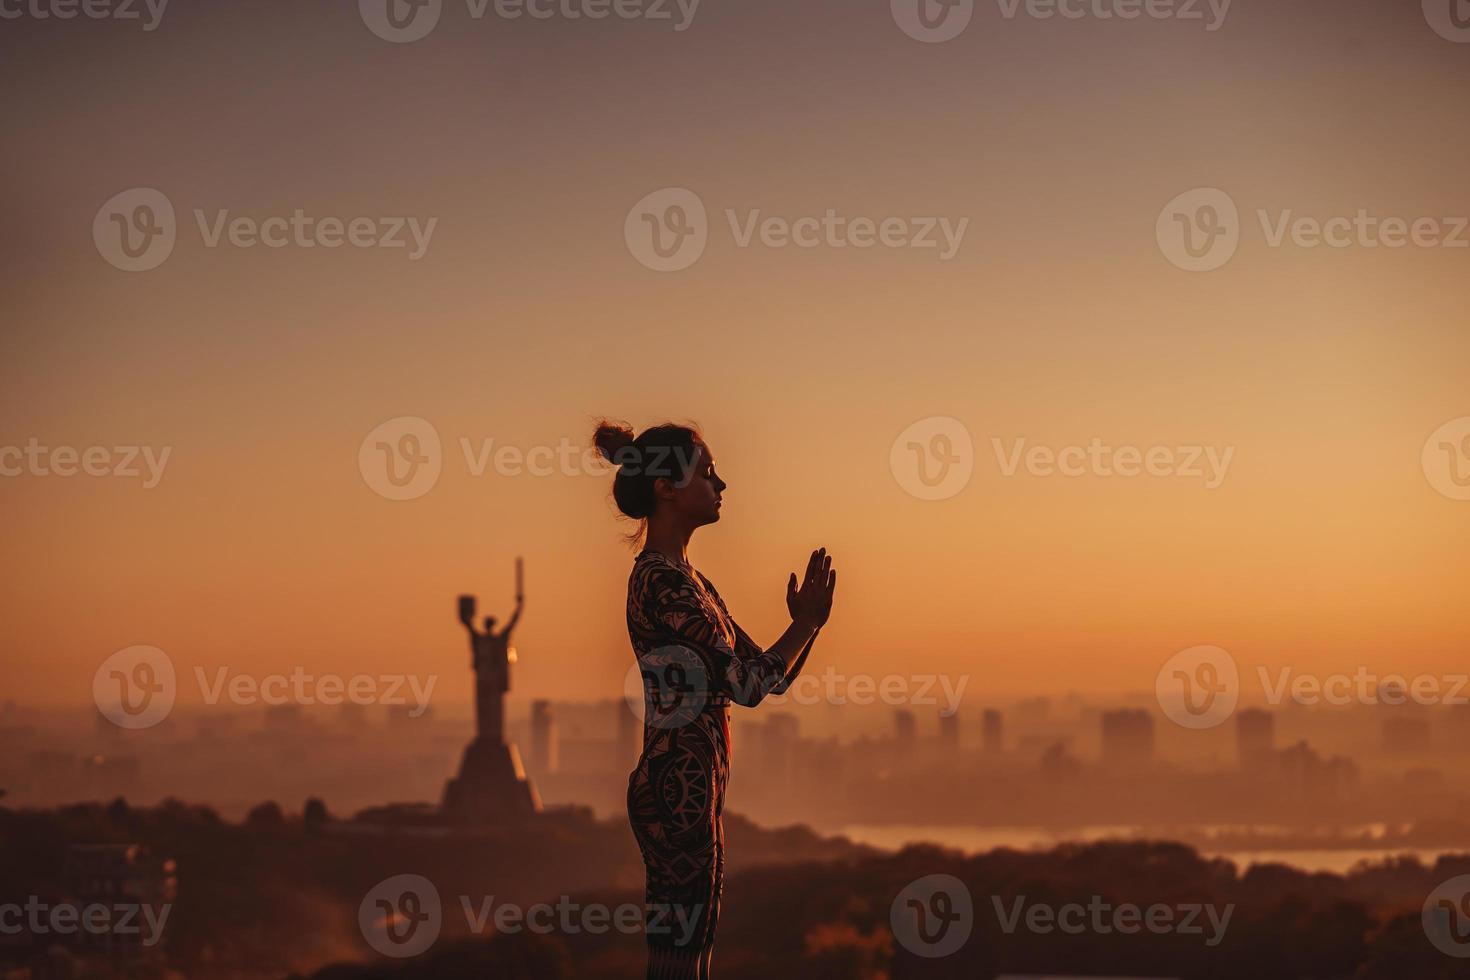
695	660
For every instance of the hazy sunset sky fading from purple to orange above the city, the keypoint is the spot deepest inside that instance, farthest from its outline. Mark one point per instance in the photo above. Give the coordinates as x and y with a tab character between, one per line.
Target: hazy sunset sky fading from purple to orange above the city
1059	320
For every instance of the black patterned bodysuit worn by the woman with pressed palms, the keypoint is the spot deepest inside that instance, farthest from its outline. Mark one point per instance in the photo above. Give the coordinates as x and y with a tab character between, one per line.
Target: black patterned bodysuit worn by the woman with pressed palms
695	660
